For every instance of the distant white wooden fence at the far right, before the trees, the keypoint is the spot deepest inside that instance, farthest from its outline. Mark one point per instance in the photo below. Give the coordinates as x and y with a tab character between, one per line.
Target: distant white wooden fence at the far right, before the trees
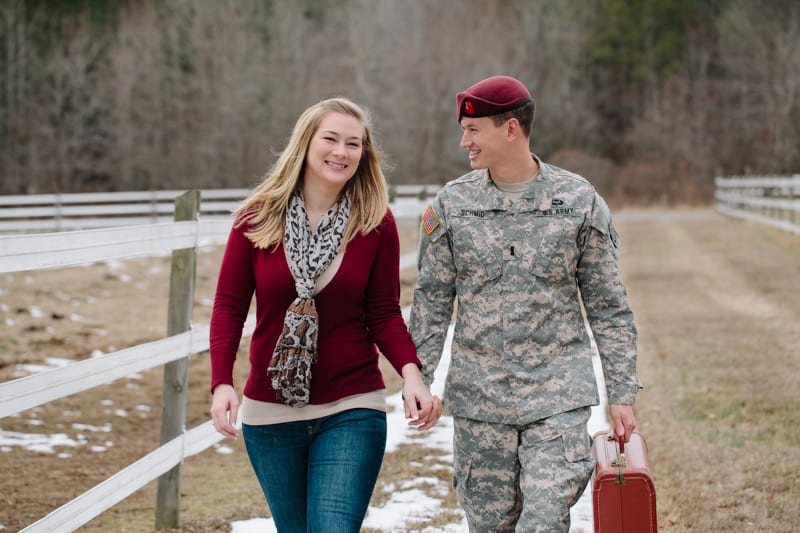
771	200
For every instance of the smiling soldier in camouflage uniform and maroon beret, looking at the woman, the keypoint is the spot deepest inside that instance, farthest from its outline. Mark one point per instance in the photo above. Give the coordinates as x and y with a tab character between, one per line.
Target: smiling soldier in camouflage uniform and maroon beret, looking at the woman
521	244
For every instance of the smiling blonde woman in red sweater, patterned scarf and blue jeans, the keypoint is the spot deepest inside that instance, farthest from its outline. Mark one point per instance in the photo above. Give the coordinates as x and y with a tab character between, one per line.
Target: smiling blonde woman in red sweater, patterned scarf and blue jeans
317	245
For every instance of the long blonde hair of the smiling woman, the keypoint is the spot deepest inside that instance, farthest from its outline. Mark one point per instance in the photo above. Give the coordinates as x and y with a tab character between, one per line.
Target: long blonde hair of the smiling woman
264	211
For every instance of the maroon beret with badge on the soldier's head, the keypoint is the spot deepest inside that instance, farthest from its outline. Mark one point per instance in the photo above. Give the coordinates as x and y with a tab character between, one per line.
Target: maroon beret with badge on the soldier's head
492	96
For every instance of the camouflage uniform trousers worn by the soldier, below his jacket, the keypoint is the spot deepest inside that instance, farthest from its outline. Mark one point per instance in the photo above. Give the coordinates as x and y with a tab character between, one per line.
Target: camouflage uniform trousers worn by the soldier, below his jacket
511	478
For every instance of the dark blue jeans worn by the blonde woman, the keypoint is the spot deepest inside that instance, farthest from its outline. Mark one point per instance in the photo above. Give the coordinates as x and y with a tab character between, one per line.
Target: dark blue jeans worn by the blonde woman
318	475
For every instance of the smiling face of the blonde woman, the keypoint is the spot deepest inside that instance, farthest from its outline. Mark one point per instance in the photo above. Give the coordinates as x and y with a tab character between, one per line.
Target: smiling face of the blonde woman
334	151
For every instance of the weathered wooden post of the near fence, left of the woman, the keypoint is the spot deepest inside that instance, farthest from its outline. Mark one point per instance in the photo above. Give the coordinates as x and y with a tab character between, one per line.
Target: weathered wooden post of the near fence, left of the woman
179	316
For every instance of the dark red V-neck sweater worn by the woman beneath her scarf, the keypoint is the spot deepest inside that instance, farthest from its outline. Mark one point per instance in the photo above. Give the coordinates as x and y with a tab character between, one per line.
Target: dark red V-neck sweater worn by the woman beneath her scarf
358	308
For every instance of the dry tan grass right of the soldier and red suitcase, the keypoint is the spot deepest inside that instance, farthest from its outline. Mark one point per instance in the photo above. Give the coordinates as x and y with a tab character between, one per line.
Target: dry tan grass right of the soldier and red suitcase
717	303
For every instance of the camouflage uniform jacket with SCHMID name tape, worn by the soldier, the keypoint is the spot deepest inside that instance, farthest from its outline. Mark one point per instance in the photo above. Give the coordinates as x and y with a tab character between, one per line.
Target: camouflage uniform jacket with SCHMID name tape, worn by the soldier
519	269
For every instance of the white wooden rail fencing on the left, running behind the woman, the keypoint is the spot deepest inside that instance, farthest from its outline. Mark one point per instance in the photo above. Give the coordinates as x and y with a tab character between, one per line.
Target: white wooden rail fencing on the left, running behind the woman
26	251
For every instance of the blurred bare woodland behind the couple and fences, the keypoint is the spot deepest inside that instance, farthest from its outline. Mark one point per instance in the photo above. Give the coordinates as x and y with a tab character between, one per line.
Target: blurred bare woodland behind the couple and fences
649	99
